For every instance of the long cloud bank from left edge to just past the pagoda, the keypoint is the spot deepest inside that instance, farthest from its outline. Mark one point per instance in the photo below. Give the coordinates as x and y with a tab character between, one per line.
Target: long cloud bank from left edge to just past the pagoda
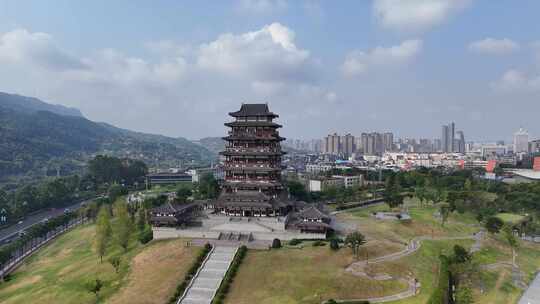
174	82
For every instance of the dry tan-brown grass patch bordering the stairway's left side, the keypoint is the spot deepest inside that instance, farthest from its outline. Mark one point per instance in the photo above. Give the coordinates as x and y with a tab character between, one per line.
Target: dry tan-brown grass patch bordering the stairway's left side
155	273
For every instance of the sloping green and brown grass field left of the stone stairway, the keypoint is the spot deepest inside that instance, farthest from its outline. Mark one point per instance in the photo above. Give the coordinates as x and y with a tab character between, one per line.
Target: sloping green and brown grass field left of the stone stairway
59	273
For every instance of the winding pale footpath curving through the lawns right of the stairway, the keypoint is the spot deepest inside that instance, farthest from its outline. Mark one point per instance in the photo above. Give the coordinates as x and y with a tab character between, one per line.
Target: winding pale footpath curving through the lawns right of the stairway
357	268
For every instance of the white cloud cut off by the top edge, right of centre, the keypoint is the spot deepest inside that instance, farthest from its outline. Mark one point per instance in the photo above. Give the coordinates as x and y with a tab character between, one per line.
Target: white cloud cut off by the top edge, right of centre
415	15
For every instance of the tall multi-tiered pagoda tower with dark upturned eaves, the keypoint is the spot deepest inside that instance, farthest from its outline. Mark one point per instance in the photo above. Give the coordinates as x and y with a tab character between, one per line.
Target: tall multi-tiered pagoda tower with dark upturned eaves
252	185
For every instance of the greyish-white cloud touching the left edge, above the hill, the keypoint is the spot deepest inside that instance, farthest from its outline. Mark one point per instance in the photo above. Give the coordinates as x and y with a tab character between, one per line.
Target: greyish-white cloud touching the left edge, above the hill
21	46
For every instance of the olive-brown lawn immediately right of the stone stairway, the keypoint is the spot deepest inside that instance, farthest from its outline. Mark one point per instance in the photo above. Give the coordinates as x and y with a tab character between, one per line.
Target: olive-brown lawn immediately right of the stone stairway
302	276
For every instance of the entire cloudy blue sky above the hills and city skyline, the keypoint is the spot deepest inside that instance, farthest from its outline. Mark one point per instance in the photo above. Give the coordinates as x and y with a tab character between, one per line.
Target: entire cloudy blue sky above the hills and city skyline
177	67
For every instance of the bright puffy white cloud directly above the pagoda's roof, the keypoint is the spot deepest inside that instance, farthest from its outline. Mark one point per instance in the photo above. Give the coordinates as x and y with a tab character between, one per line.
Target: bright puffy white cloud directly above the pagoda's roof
269	54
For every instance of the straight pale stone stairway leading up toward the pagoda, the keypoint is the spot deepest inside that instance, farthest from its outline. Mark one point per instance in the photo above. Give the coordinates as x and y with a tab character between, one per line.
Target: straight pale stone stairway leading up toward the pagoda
207	280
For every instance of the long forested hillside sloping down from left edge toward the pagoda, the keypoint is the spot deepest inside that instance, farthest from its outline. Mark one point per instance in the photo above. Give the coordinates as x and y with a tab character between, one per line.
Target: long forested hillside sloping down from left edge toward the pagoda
35	143
